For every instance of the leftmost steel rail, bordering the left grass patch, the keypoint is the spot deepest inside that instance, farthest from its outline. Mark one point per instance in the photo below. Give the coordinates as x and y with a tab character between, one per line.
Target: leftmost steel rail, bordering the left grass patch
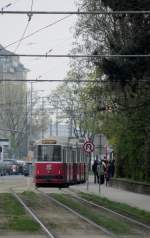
46	231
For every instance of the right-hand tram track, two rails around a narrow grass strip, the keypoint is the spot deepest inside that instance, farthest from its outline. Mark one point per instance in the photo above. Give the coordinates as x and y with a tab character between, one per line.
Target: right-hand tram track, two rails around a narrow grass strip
137	229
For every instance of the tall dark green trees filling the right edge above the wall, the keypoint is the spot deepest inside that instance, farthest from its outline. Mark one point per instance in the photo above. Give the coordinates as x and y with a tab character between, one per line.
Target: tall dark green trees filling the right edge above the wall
125	78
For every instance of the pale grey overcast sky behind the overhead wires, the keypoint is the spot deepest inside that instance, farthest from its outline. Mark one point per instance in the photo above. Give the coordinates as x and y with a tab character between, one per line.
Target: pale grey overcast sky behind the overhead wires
57	38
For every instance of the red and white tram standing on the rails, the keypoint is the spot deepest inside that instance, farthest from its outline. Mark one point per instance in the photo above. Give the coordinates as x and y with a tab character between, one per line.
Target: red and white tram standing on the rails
59	165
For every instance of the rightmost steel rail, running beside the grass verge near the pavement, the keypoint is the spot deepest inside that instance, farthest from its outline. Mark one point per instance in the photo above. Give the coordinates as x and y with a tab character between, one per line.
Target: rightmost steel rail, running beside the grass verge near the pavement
111	211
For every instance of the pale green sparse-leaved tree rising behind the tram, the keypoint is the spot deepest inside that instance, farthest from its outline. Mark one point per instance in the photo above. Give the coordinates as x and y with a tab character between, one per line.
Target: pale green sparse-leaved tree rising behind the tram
75	100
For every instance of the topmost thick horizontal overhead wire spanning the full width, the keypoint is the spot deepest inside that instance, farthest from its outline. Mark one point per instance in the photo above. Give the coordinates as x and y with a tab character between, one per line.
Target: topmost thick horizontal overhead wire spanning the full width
30	13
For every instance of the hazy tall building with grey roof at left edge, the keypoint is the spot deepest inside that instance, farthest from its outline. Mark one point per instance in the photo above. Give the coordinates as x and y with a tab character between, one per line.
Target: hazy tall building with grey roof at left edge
13	97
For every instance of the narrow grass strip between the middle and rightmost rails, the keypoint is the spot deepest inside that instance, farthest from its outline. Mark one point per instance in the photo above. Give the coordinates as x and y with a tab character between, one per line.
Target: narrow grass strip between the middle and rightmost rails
116	226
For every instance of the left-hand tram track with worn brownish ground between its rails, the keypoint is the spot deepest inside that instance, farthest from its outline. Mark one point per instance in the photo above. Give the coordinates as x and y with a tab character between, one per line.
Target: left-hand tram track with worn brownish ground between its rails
74	225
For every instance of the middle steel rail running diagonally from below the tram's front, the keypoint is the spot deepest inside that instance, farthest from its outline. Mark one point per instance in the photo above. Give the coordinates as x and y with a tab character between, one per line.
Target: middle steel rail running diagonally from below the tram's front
78	214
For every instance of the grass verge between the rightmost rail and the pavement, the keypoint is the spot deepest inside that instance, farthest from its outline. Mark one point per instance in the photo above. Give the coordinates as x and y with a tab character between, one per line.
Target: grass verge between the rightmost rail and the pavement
122	208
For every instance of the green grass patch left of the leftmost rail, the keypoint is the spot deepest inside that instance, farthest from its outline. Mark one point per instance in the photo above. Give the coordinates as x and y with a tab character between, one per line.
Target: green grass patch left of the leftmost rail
14	216
